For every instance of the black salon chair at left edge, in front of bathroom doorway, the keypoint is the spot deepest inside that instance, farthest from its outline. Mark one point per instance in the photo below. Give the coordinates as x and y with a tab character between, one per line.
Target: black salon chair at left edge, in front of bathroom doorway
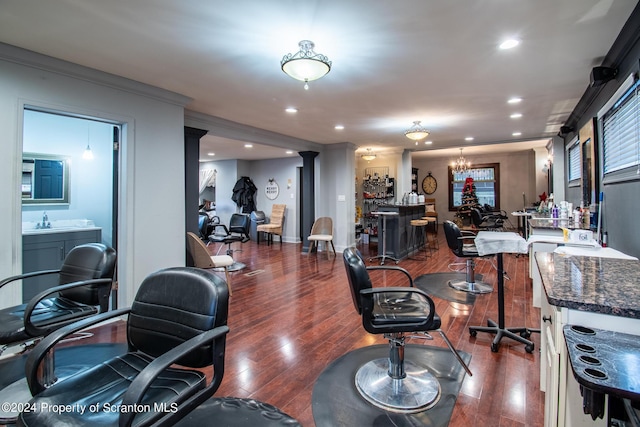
84	285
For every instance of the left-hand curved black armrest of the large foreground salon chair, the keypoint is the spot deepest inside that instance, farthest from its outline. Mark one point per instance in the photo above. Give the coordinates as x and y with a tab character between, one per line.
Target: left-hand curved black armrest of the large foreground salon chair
39	352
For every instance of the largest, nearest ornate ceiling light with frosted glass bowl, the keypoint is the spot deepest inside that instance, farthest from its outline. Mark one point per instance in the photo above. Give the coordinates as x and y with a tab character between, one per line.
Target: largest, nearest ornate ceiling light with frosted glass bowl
305	65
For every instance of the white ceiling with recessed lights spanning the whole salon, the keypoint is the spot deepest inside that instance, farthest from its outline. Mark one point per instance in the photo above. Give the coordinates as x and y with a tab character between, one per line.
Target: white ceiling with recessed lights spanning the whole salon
393	62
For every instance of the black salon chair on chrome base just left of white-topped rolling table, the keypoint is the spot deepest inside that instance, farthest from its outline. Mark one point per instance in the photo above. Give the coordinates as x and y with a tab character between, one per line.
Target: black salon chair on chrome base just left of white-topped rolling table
461	244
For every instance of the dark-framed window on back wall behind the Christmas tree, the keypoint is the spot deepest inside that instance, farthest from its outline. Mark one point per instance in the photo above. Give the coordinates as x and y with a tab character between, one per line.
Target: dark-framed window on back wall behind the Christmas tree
486	179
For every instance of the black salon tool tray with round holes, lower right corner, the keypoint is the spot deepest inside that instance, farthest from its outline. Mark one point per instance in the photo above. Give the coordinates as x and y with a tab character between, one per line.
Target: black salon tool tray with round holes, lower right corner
604	361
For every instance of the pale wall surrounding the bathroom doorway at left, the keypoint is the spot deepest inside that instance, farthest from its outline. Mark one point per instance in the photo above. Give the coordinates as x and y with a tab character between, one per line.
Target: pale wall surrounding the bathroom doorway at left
151	209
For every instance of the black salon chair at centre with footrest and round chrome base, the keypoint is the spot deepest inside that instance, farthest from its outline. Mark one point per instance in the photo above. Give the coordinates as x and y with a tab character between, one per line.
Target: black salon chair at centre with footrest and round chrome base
393	383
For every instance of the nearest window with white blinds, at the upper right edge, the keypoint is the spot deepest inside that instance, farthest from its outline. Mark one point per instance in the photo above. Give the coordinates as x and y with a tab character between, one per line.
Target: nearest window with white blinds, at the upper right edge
620	126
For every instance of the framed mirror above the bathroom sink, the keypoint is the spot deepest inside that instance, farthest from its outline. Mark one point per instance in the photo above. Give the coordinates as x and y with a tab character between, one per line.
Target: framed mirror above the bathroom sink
45	179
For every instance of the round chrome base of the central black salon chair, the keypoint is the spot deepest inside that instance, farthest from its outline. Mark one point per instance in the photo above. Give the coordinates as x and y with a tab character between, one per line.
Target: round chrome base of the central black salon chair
416	392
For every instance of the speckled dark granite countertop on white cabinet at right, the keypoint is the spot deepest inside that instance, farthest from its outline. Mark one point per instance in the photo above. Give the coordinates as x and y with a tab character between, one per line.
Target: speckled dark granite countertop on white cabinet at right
594	284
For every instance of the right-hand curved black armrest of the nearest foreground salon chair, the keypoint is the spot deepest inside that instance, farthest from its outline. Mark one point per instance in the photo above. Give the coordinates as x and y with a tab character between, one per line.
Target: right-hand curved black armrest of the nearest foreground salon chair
141	383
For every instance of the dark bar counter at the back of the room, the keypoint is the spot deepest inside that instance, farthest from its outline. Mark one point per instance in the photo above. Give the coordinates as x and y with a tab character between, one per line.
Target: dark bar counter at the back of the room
399	229
